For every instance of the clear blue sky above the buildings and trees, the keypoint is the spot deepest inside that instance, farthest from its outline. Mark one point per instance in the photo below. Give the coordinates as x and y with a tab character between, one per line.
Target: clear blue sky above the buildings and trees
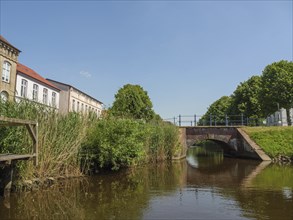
185	54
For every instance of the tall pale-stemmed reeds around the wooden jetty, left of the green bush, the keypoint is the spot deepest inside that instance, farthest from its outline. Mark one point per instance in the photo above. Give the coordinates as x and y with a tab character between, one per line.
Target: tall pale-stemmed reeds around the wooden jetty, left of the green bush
59	139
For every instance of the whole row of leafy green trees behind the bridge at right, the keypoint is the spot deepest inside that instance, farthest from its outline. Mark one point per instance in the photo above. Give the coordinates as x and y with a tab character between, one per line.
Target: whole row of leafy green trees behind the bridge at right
257	97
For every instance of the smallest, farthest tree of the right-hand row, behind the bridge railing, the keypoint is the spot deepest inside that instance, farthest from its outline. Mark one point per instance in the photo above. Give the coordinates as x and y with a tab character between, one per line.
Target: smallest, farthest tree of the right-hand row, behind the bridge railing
216	111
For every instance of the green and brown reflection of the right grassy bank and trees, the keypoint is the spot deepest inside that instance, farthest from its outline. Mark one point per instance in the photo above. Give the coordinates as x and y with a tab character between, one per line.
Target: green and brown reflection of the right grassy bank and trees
270	195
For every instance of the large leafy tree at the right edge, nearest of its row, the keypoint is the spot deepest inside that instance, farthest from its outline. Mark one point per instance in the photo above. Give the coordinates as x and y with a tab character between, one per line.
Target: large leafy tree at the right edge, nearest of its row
277	87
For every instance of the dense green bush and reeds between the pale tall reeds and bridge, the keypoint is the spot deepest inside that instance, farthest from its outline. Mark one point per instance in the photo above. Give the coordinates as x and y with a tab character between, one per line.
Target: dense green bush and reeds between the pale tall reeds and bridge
114	143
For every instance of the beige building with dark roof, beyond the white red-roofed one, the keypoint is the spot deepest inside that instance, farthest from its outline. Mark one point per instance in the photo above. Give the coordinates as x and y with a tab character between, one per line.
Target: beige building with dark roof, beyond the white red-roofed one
74	100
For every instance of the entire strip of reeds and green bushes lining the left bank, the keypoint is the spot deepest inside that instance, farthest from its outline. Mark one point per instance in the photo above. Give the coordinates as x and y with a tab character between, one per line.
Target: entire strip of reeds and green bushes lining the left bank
74	144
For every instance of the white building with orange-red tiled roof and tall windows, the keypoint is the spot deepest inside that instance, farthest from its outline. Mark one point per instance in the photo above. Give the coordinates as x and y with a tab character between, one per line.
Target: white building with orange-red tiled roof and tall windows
30	85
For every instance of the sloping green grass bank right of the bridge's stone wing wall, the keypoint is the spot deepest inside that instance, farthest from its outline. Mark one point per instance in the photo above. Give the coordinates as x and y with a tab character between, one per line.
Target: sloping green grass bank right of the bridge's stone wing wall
275	141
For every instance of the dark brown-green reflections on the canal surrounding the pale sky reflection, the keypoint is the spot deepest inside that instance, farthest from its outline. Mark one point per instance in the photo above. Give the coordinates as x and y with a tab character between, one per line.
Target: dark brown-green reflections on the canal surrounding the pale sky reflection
126	194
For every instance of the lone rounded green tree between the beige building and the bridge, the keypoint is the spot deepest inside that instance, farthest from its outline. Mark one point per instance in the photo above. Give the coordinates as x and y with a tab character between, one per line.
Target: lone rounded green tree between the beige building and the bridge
131	101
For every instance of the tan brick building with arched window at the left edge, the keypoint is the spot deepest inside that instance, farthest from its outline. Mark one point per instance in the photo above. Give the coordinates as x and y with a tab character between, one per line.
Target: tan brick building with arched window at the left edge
8	64
